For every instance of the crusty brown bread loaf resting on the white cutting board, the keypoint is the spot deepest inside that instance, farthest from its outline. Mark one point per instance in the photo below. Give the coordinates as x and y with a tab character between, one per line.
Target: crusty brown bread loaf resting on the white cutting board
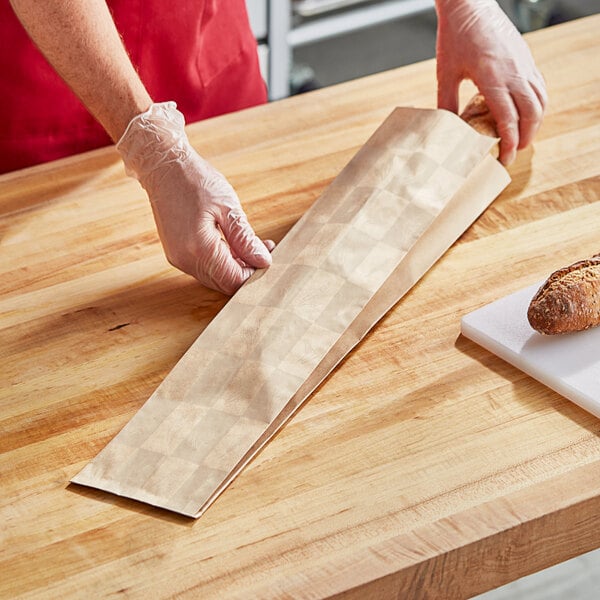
569	300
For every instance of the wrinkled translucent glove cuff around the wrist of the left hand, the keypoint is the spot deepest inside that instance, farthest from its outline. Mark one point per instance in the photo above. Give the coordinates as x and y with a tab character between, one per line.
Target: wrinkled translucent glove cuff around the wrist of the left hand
153	139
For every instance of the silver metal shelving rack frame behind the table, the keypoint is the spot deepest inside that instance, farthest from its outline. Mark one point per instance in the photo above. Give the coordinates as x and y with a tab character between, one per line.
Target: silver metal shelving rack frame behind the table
293	24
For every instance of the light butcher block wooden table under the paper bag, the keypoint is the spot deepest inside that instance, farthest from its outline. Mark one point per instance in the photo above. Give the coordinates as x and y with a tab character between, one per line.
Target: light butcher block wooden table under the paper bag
423	467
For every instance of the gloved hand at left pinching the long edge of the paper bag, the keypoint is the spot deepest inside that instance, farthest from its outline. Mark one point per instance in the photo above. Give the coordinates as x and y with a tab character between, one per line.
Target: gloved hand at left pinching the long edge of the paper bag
200	222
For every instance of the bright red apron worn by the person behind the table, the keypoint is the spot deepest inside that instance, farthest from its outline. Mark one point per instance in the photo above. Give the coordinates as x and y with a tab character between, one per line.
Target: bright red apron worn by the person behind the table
200	53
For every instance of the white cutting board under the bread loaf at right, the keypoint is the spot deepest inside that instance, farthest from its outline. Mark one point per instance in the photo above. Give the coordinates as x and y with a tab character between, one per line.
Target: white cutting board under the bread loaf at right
567	363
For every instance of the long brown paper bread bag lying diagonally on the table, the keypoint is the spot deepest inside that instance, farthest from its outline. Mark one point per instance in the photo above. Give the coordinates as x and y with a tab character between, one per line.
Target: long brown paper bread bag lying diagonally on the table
405	197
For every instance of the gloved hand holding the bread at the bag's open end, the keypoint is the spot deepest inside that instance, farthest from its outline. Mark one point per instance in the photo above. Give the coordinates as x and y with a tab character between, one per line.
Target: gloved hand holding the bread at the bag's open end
477	41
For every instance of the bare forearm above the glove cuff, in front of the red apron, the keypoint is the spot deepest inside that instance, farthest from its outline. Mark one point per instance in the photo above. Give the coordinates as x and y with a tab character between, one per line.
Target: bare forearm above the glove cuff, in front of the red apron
80	40
